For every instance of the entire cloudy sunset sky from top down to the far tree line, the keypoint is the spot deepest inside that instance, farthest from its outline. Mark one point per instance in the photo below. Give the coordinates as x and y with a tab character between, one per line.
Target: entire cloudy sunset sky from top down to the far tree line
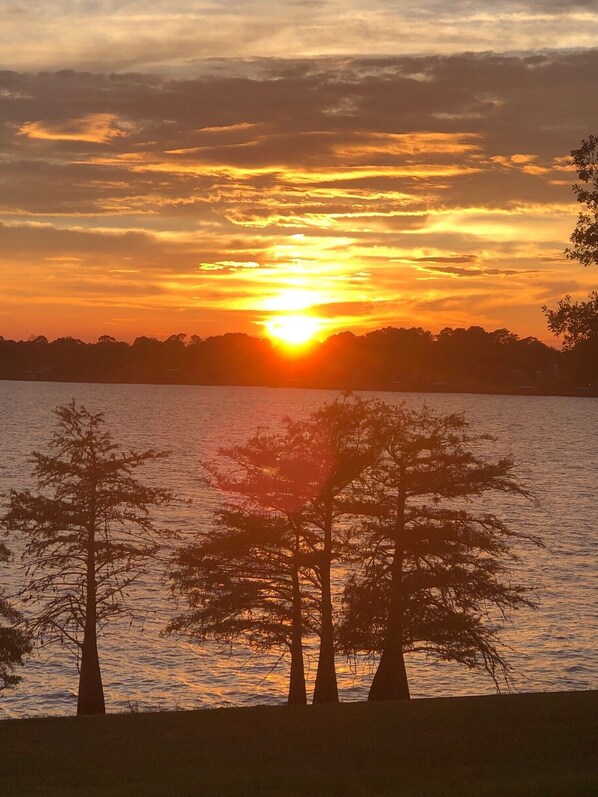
210	167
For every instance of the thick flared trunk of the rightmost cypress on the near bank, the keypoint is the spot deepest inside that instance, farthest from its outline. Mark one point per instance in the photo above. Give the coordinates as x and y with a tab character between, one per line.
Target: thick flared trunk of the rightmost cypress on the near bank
390	681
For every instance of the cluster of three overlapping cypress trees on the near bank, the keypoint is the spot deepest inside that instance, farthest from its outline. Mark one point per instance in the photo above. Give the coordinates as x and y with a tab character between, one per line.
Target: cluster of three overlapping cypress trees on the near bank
391	494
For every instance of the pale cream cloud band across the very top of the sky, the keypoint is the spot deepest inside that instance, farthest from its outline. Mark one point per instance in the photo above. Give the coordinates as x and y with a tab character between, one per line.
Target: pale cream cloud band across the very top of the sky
176	35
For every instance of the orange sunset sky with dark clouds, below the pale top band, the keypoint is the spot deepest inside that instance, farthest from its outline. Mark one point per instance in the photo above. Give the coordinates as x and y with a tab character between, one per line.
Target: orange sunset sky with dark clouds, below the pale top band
292	198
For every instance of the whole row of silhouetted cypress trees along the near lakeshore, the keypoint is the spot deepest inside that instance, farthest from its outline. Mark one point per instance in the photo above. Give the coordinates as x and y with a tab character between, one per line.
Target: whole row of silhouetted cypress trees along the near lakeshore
361	525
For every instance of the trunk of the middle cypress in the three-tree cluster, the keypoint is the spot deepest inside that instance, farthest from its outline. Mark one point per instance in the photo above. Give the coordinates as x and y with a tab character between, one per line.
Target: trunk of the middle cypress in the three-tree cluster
326	689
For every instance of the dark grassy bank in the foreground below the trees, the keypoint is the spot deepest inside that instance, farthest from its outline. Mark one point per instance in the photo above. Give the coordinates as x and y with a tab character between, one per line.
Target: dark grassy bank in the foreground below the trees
530	745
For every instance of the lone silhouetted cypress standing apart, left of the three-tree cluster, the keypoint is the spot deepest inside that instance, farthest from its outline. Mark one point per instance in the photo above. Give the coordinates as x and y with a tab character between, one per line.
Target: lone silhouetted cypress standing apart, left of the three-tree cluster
88	535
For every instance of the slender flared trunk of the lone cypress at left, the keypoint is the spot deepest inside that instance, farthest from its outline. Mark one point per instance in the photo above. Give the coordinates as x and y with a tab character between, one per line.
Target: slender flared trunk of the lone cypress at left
91	692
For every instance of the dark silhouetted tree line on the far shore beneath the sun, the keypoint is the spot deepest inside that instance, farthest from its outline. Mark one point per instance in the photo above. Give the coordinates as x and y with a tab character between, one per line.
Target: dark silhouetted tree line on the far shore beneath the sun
390	359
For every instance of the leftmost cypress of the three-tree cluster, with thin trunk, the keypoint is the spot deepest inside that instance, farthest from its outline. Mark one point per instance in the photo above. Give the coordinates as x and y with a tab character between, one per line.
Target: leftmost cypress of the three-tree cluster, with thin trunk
244	578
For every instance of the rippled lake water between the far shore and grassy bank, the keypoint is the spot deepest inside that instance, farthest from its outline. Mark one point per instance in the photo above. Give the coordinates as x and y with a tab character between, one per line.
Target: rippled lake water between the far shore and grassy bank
553	440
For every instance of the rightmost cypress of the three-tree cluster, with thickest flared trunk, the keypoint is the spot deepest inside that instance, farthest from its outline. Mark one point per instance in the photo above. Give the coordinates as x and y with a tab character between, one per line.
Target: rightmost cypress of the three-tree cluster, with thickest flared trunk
431	569
